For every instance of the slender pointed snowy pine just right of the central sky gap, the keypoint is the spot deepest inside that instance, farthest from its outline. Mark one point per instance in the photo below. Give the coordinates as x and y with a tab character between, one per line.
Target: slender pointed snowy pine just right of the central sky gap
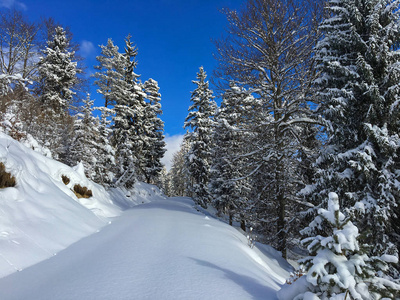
200	120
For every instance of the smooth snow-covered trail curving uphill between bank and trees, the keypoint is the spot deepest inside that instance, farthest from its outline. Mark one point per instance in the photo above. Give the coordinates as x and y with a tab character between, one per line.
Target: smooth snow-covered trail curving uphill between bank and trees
160	250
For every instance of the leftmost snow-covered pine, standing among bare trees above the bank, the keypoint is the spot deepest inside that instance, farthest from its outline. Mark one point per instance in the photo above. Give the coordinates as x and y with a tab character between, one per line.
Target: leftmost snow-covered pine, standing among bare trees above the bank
57	75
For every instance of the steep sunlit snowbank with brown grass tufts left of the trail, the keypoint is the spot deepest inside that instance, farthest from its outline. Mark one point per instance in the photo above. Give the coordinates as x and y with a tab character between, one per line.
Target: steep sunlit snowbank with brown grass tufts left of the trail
41	215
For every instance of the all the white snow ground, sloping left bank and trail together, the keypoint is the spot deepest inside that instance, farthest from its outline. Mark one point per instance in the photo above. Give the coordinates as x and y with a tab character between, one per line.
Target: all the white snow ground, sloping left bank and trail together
118	244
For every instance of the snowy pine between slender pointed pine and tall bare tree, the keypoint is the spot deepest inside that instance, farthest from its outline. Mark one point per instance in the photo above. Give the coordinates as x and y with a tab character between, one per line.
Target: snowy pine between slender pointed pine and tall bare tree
229	185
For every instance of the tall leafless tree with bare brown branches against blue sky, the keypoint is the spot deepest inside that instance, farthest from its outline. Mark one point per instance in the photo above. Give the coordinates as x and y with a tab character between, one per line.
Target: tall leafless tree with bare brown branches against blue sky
268	50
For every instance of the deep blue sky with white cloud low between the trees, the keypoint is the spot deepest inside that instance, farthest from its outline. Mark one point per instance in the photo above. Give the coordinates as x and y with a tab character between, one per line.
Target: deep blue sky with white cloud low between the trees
173	38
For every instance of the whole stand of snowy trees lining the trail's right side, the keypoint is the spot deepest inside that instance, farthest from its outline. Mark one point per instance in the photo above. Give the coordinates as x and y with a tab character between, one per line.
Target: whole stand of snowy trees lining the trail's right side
309	113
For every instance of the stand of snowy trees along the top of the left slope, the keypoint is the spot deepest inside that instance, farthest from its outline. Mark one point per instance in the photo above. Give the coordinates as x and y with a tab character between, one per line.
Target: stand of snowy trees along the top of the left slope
45	103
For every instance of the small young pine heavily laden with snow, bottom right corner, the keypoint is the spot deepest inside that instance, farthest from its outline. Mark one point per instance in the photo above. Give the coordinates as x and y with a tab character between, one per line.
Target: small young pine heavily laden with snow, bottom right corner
337	266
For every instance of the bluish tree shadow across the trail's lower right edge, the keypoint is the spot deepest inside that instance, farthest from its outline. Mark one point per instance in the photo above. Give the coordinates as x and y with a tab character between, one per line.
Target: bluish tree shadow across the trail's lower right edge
252	286
